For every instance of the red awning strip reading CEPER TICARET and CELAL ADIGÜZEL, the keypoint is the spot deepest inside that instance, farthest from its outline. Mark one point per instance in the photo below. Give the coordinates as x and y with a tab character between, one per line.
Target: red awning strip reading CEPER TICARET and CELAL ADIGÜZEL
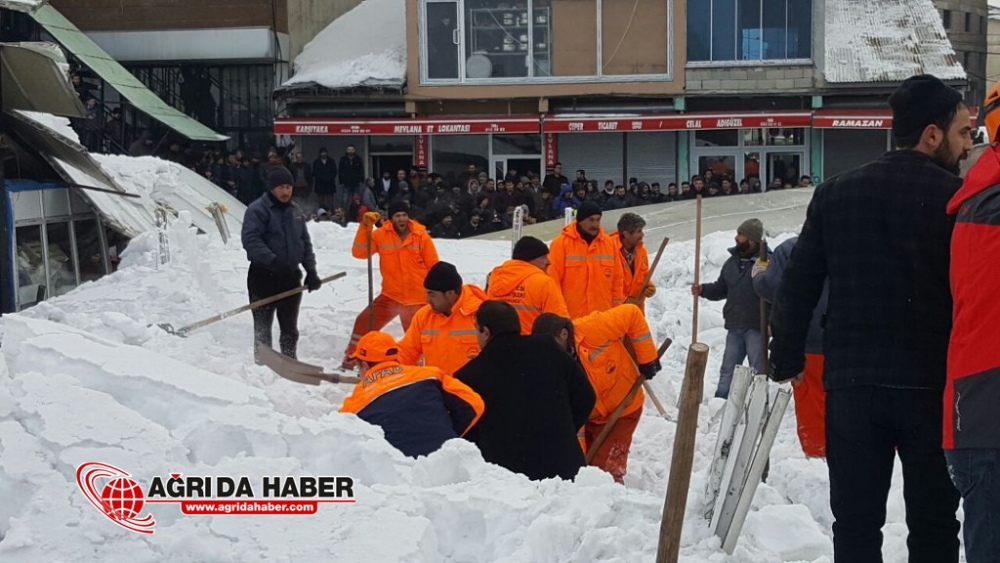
674	122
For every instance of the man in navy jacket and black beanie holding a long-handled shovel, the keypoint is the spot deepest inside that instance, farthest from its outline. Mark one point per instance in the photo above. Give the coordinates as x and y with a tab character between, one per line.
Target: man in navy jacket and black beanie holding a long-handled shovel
276	241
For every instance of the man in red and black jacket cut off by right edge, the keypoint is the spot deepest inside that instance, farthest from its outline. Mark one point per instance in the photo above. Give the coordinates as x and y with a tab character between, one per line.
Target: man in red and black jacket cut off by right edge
972	390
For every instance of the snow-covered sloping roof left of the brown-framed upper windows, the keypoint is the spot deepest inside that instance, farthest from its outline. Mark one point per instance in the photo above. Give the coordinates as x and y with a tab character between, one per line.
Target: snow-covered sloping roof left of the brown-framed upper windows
364	47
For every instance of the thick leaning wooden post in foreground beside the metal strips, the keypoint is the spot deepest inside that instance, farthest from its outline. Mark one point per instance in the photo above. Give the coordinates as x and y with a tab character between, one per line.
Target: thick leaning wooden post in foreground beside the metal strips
682	459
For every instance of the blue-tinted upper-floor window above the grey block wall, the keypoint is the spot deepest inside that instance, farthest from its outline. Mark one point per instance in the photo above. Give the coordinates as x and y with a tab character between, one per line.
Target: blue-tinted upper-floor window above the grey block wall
749	30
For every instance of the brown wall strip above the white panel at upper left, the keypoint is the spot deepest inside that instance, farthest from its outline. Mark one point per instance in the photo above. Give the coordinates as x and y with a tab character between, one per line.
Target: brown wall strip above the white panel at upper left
143	15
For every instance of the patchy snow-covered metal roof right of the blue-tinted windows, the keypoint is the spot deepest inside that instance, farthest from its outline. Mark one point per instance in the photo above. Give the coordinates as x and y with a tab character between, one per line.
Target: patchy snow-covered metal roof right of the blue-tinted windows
886	41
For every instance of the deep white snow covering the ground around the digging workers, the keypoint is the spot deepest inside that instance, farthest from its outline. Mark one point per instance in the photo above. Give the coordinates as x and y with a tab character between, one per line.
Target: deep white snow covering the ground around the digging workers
86	379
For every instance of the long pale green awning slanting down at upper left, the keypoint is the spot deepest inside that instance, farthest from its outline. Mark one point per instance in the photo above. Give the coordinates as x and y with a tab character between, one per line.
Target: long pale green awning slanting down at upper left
120	79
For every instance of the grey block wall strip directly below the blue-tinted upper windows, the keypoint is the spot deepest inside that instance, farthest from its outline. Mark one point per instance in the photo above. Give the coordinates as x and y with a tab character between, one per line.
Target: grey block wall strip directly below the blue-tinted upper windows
780	80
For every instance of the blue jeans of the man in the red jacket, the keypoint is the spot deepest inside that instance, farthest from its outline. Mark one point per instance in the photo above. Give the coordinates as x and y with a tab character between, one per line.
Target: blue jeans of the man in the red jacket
977	475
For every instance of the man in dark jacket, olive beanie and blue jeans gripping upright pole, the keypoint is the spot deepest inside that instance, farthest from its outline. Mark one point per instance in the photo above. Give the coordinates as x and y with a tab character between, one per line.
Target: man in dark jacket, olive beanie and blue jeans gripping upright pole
742	309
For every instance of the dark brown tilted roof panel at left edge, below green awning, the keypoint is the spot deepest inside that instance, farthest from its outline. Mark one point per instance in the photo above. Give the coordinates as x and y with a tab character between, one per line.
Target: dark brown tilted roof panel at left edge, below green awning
33	80
